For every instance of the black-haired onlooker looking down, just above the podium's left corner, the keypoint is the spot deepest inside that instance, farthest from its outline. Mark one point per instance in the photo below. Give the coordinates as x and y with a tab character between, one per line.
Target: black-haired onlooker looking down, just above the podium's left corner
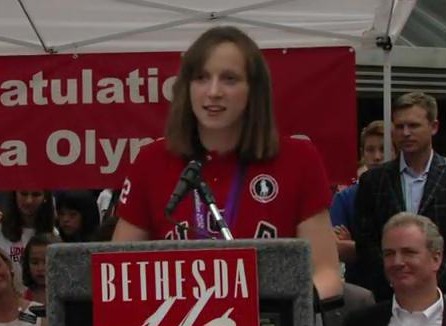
77	215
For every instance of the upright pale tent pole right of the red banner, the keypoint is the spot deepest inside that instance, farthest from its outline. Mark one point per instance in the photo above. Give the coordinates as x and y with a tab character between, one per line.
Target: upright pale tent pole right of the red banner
387	103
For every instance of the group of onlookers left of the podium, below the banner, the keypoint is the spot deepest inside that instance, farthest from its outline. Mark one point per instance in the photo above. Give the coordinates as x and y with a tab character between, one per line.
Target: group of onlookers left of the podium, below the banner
30	221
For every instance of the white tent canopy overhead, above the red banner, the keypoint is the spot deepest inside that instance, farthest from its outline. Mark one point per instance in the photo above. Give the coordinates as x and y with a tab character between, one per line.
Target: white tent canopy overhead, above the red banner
58	26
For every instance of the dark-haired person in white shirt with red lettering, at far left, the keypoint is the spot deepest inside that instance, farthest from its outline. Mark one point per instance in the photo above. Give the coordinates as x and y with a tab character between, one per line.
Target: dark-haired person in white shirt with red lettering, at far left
27	212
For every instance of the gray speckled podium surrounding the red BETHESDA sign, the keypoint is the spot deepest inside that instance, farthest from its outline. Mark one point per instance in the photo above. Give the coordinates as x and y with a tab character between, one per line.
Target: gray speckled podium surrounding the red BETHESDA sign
284	269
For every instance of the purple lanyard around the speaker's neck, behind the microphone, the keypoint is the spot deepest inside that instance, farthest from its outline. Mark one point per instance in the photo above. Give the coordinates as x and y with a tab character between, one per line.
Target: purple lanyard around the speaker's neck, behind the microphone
231	205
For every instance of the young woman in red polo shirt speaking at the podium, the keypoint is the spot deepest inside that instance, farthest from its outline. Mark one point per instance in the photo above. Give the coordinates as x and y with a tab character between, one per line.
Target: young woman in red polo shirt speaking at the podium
221	115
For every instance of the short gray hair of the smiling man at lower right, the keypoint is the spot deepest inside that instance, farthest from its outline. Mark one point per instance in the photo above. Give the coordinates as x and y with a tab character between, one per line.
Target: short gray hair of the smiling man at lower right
434	240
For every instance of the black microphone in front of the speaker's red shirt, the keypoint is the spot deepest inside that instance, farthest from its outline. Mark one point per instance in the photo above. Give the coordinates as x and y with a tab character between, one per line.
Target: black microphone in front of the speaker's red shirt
189	179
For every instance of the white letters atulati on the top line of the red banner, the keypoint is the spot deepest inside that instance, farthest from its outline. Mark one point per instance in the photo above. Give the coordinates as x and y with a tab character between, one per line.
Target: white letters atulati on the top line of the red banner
135	87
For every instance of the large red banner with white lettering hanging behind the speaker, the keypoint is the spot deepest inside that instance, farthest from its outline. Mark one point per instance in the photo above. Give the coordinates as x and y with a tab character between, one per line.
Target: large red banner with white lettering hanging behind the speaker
77	121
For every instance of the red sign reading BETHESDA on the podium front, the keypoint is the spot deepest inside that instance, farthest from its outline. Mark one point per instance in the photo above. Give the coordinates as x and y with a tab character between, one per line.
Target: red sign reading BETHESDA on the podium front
184	288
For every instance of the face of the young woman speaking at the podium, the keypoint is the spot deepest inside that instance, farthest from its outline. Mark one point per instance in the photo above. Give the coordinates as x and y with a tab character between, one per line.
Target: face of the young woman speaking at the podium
219	94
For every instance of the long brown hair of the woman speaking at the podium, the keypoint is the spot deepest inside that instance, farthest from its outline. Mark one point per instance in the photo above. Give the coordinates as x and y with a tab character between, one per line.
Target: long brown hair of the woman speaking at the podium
259	138
